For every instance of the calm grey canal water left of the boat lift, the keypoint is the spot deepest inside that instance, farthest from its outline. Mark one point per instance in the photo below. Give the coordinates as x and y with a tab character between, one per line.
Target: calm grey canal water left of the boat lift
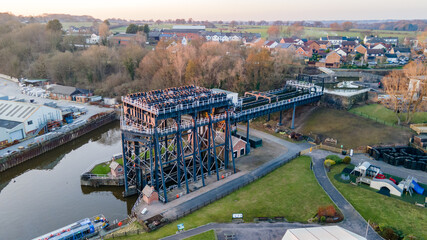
44	193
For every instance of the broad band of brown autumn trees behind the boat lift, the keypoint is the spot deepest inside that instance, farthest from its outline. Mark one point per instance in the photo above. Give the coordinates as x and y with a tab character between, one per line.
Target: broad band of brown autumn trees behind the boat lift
42	51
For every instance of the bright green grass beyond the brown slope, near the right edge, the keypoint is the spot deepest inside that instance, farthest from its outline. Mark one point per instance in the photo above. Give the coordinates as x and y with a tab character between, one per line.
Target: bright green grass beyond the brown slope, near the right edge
377	111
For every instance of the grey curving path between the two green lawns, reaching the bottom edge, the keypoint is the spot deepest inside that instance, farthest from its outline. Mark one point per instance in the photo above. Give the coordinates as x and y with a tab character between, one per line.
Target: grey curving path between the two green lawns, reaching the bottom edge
353	221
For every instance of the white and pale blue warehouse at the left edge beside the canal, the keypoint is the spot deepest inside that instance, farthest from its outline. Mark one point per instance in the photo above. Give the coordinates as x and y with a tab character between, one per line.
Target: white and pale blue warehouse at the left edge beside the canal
20	119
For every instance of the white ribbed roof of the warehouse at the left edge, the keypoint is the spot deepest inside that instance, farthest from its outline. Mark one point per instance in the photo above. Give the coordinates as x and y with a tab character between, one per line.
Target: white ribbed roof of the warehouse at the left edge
16	111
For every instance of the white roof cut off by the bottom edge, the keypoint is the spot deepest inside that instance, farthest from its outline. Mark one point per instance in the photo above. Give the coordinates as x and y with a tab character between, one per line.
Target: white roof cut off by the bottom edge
321	233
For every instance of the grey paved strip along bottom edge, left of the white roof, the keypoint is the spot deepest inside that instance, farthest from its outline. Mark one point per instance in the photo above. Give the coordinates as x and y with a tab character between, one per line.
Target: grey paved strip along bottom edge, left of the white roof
261	231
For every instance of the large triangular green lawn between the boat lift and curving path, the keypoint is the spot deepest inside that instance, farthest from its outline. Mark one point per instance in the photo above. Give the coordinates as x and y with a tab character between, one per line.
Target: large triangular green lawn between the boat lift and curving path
276	194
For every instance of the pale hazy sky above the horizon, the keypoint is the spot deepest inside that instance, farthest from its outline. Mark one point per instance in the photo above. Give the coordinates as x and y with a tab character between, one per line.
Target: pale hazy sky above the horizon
226	10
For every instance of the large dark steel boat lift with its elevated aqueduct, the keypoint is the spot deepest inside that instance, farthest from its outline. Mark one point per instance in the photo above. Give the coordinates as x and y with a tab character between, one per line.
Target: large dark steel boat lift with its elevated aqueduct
176	136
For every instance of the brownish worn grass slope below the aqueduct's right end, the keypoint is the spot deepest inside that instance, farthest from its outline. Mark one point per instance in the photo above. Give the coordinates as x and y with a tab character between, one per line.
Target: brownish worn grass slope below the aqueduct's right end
351	130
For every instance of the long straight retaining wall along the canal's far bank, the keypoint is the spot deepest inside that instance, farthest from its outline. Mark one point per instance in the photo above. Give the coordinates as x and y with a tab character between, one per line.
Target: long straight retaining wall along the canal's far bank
38	149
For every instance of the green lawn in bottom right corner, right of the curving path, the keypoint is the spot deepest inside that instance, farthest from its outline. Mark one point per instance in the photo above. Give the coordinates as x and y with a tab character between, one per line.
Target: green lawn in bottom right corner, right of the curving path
381	209
